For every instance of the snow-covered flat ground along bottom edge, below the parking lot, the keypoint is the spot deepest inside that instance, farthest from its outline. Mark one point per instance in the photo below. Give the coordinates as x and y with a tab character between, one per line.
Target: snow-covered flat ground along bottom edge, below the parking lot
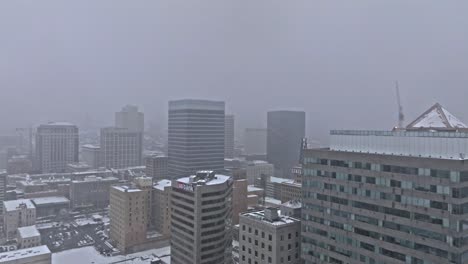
88	255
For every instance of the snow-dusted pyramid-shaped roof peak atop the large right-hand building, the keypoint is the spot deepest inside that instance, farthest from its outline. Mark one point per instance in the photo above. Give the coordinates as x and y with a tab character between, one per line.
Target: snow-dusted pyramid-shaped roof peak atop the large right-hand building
437	117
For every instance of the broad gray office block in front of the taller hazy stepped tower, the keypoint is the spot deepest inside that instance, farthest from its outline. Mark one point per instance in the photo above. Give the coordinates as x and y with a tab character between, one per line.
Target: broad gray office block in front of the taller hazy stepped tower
121	147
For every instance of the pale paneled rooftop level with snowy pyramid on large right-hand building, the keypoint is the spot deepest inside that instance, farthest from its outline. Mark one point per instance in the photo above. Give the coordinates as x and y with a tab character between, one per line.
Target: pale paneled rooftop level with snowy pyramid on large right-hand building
435	134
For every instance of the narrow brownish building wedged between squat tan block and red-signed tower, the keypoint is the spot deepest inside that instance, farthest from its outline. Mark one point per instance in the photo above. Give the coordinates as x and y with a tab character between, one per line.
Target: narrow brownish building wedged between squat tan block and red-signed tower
161	207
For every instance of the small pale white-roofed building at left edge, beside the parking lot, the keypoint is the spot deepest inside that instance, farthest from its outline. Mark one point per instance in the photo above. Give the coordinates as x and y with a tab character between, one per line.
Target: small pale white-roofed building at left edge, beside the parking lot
18	213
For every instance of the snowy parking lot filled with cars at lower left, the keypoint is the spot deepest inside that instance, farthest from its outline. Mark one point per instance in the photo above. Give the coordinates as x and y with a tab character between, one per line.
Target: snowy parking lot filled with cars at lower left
64	236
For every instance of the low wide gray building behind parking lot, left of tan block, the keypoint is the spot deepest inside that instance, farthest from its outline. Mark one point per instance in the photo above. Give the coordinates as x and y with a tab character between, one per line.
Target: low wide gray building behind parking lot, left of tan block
92	192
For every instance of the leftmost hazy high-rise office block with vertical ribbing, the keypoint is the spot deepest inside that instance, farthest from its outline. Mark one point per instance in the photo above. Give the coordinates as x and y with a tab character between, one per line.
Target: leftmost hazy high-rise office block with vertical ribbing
56	146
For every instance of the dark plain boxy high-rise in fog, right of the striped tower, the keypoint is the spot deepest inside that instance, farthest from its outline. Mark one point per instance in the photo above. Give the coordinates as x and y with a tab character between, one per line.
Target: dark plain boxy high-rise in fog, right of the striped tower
286	129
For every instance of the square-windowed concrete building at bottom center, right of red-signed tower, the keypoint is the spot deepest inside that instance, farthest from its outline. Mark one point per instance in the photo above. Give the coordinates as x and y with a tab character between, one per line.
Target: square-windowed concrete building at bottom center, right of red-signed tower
267	237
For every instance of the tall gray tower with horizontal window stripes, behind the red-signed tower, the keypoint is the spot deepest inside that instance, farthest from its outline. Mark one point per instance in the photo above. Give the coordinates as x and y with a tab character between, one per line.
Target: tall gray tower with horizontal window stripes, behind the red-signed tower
196	136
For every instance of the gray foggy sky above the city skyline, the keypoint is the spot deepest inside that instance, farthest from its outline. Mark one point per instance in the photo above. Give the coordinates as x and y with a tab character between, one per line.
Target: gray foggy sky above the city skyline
337	60
